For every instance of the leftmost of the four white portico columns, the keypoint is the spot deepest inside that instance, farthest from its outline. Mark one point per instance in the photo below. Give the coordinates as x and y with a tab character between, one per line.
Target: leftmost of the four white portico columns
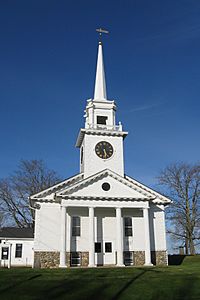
63	238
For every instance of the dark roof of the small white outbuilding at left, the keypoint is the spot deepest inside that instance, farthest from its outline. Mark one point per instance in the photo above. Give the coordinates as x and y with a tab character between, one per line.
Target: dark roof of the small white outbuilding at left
14	232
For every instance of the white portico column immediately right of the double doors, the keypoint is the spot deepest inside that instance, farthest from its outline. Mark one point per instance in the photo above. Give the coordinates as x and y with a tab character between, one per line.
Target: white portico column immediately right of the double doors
119	237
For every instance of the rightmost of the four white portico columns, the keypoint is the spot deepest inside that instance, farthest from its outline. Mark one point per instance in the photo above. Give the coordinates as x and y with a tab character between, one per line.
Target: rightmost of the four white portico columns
147	237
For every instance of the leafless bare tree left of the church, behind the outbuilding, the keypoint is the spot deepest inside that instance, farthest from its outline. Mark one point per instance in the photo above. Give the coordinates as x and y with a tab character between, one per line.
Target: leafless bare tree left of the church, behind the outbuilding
31	177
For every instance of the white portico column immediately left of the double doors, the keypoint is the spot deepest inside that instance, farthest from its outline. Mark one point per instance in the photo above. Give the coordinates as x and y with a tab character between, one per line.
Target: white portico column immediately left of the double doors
91	237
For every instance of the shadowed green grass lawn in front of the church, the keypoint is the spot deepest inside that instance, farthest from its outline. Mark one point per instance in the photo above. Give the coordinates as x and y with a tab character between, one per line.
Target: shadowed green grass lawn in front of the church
173	282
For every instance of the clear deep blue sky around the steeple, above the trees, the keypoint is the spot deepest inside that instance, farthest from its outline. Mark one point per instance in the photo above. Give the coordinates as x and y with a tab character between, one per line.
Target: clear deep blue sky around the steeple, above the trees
47	66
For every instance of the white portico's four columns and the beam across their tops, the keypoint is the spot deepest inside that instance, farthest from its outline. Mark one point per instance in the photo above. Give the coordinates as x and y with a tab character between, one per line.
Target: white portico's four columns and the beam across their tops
118	246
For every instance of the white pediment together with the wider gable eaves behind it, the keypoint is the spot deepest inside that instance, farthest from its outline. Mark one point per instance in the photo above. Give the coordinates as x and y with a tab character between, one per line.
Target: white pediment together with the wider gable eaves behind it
91	188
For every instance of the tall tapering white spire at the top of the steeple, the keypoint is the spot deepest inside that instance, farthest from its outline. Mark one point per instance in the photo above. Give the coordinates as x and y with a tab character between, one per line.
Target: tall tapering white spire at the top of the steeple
100	83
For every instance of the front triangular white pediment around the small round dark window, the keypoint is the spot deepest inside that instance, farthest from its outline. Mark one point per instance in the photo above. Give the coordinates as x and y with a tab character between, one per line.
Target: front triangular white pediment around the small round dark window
92	187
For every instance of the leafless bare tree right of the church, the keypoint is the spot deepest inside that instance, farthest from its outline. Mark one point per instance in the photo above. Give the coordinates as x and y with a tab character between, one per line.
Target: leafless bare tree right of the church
182	184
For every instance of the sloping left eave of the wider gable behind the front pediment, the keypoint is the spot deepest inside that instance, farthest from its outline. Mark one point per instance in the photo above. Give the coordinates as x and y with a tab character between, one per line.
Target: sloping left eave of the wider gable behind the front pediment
57	187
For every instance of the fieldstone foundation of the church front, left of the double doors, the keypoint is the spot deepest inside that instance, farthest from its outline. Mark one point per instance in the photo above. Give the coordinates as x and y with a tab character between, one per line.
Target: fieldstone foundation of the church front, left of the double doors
50	259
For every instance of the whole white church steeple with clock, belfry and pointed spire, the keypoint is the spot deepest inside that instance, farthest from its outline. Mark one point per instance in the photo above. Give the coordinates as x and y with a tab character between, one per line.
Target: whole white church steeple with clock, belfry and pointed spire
101	140
